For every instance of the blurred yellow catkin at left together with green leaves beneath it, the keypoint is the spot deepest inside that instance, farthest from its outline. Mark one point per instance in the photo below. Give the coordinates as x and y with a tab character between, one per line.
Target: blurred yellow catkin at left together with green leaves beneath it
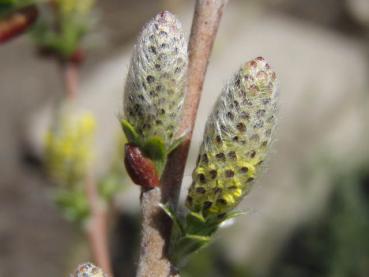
68	156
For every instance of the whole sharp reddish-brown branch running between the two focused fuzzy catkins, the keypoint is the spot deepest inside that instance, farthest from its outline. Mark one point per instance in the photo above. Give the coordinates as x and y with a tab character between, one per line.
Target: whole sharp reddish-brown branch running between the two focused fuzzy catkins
156	226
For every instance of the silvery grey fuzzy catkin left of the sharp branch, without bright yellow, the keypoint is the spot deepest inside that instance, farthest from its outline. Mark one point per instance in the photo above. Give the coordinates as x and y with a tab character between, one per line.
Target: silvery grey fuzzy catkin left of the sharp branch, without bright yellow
154	88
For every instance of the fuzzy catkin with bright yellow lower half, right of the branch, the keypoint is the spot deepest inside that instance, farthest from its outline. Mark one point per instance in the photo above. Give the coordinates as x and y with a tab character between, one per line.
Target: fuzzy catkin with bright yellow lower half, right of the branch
236	140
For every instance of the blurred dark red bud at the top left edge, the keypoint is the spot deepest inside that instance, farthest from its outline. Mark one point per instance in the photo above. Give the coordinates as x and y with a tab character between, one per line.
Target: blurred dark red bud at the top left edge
17	22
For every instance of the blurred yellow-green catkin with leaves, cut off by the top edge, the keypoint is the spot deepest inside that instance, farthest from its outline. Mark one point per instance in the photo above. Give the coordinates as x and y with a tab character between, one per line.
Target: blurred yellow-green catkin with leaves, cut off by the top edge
62	25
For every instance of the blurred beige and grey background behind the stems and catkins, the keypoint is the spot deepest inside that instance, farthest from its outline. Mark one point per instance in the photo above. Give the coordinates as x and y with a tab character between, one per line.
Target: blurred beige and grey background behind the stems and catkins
308	214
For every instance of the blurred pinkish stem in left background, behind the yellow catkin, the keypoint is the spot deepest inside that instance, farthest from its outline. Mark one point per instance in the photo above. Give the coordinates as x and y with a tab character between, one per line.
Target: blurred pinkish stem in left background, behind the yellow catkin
96	230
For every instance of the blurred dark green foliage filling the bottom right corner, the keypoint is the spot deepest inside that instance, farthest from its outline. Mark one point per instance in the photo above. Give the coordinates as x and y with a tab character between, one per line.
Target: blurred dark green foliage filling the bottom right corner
337	244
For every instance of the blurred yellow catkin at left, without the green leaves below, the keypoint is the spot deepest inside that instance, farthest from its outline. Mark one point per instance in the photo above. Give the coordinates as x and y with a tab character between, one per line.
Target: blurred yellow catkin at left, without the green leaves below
68	147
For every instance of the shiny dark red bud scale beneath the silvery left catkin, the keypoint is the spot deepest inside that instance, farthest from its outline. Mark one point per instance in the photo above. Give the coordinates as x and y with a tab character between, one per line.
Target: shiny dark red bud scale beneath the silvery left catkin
140	168
